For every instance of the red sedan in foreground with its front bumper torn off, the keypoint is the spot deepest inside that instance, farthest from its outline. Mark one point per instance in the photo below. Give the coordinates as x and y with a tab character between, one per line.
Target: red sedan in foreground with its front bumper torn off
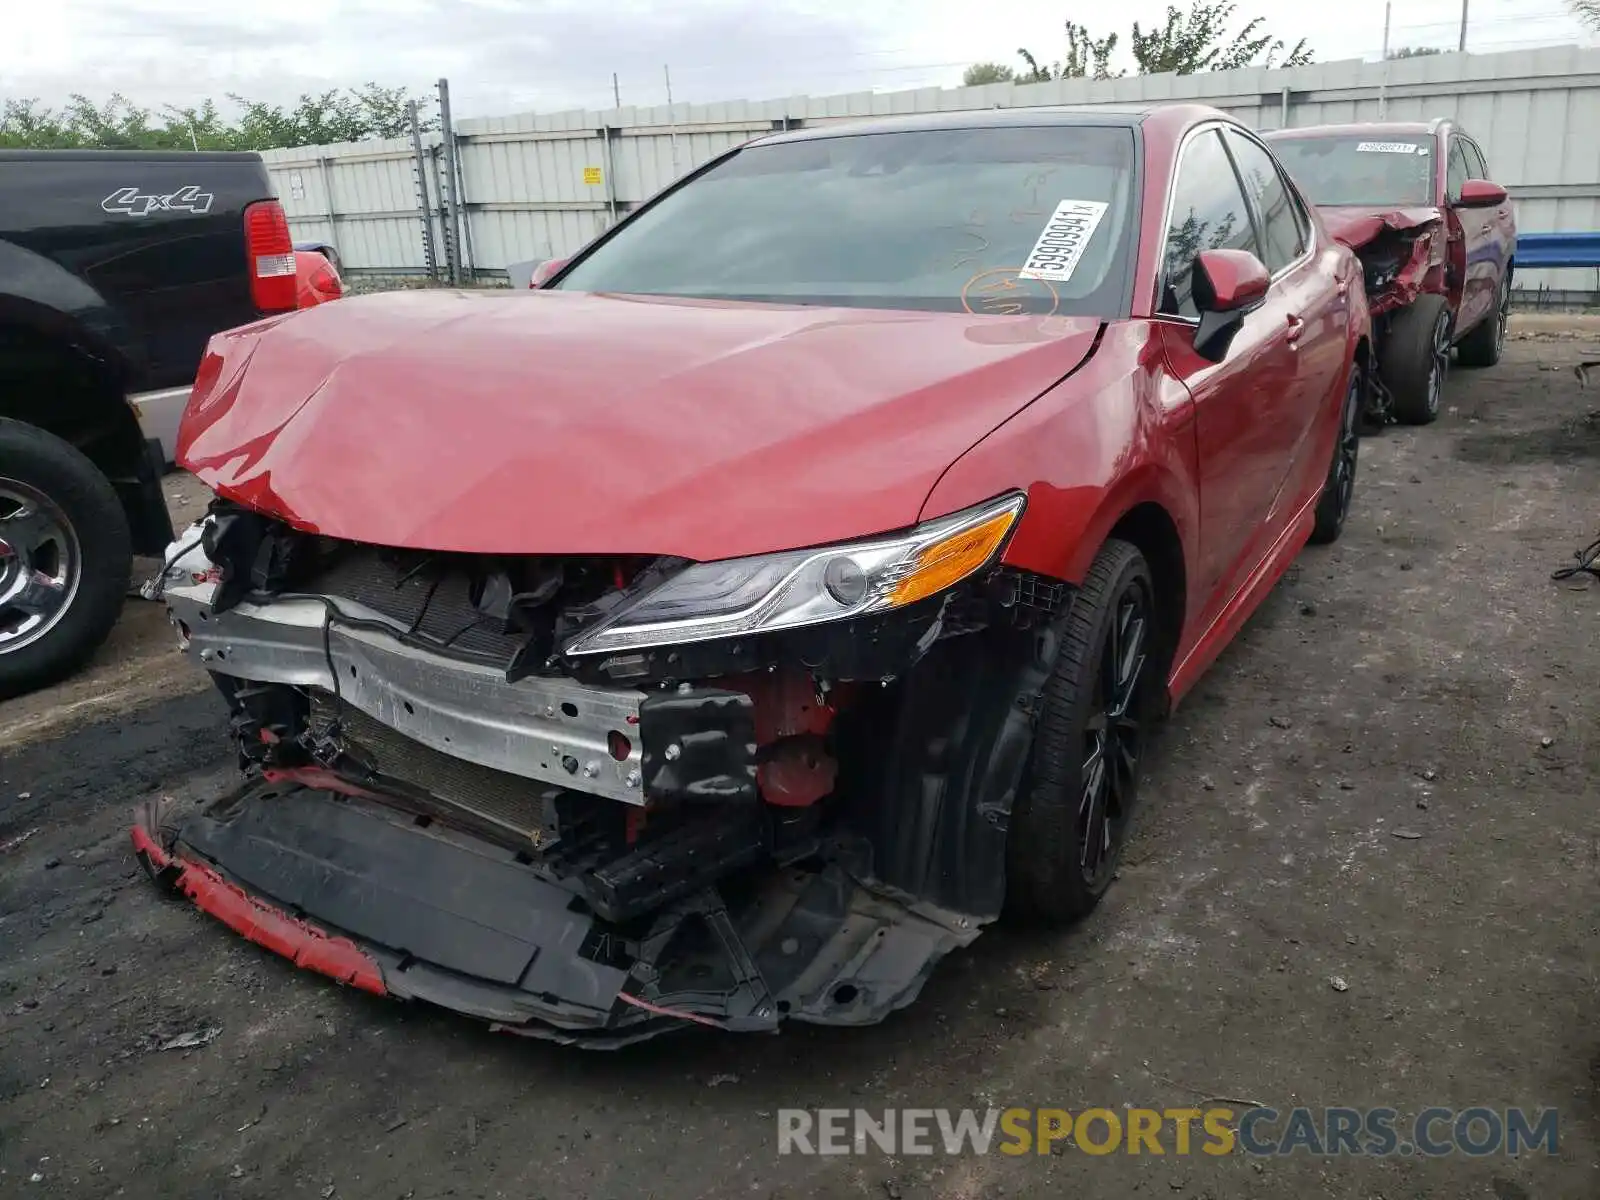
734	626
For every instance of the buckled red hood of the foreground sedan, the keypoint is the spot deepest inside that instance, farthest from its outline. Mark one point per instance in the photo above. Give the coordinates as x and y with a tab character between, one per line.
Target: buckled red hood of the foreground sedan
562	423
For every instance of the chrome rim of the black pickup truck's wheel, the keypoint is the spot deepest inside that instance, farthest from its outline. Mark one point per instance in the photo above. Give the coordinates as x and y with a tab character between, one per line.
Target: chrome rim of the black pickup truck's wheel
41	566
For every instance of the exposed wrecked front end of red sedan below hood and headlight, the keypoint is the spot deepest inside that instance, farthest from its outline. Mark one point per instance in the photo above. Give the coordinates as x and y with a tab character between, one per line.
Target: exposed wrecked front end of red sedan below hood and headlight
727	839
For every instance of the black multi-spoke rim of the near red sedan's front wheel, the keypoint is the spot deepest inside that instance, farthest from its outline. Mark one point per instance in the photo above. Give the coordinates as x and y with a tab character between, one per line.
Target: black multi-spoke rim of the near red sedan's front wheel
1114	735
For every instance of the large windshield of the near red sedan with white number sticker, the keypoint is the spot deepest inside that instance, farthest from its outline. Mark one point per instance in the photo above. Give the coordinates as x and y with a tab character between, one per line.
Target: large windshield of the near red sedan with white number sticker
993	222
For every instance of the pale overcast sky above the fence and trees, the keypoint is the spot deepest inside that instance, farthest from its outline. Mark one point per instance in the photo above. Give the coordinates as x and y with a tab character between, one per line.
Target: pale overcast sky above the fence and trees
521	55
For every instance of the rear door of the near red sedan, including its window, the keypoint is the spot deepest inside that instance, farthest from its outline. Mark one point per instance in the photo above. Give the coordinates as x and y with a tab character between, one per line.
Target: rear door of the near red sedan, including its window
1318	303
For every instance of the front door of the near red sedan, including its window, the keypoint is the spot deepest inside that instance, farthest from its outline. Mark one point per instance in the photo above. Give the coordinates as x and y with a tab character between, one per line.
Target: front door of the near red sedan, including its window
1239	402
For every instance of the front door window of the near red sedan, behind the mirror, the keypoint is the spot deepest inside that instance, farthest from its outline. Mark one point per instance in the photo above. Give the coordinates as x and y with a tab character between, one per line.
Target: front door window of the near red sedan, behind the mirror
1209	214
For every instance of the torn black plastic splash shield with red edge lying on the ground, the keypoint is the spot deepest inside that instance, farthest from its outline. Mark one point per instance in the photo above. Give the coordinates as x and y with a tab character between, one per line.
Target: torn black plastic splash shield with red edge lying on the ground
433	914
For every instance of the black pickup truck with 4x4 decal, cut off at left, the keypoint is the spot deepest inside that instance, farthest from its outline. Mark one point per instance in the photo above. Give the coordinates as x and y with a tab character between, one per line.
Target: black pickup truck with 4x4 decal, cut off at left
116	270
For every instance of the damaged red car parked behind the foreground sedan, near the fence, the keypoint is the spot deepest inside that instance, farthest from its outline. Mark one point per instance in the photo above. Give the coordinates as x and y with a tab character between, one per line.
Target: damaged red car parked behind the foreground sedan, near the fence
1436	239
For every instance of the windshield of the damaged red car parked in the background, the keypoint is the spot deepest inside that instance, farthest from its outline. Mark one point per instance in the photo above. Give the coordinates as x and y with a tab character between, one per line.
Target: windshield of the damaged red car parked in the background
1378	169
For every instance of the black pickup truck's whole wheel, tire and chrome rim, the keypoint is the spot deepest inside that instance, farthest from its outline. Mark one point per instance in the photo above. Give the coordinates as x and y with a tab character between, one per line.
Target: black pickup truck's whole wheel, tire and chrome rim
65	558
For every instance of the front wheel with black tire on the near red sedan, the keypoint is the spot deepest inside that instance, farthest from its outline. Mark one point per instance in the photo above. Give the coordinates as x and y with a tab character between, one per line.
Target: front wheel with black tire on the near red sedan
1079	791
